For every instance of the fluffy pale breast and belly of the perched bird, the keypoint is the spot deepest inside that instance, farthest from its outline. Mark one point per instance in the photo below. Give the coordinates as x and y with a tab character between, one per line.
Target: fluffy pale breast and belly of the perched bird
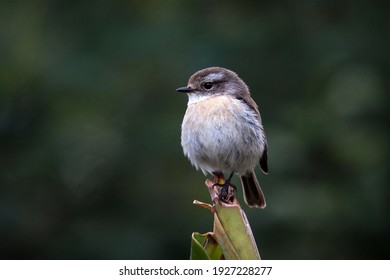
222	134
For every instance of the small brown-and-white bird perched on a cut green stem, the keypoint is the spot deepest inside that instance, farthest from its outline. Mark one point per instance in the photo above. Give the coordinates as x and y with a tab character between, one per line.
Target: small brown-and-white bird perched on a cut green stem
222	131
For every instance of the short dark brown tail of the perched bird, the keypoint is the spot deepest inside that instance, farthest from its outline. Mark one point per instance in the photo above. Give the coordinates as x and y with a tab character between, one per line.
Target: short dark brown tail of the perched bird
253	195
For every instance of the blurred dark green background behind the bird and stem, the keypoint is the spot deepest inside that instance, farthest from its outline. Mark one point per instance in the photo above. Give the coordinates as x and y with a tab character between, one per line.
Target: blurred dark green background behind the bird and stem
91	165
